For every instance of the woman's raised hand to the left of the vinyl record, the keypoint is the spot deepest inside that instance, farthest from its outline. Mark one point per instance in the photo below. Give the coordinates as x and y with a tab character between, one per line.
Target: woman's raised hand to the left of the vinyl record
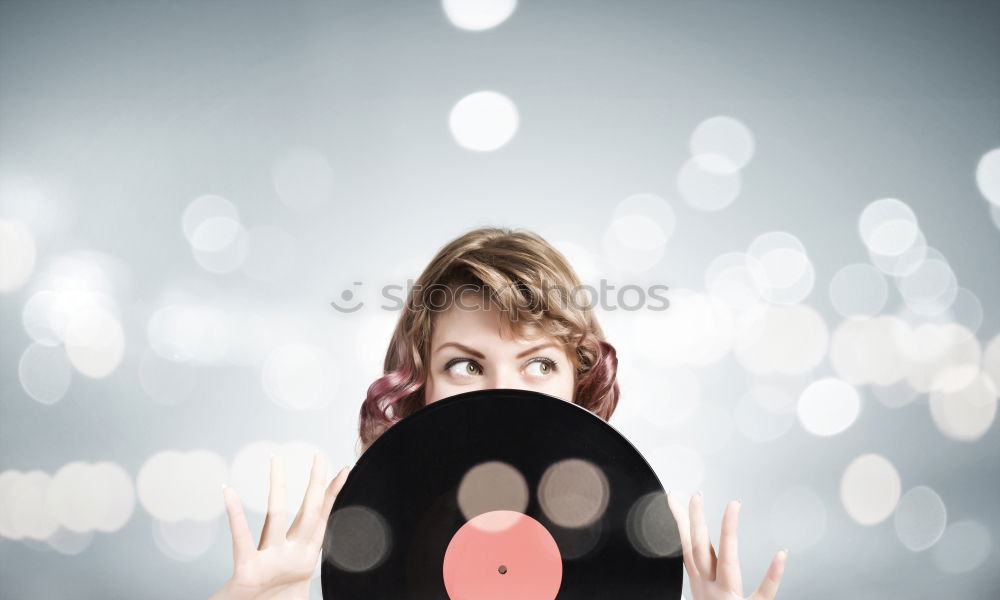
282	565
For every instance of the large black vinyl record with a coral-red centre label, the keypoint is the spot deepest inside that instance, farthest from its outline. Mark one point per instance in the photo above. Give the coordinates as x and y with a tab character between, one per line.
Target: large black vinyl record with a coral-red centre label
501	494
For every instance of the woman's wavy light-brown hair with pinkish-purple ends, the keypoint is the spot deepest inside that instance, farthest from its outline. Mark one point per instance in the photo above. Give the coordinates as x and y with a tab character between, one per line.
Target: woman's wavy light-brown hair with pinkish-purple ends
532	283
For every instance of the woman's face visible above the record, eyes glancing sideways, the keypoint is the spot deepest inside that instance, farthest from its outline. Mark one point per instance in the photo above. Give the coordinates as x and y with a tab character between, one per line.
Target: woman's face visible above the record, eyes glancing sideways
475	350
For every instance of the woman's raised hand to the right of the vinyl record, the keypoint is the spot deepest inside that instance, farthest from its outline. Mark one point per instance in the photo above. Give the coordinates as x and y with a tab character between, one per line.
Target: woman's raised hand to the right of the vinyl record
718	579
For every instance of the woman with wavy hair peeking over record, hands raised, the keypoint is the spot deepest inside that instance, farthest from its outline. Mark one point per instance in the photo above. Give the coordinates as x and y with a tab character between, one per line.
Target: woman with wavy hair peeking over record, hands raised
494	309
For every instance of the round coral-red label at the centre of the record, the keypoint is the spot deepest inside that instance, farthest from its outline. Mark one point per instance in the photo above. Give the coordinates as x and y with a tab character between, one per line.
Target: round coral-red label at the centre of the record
502	554
